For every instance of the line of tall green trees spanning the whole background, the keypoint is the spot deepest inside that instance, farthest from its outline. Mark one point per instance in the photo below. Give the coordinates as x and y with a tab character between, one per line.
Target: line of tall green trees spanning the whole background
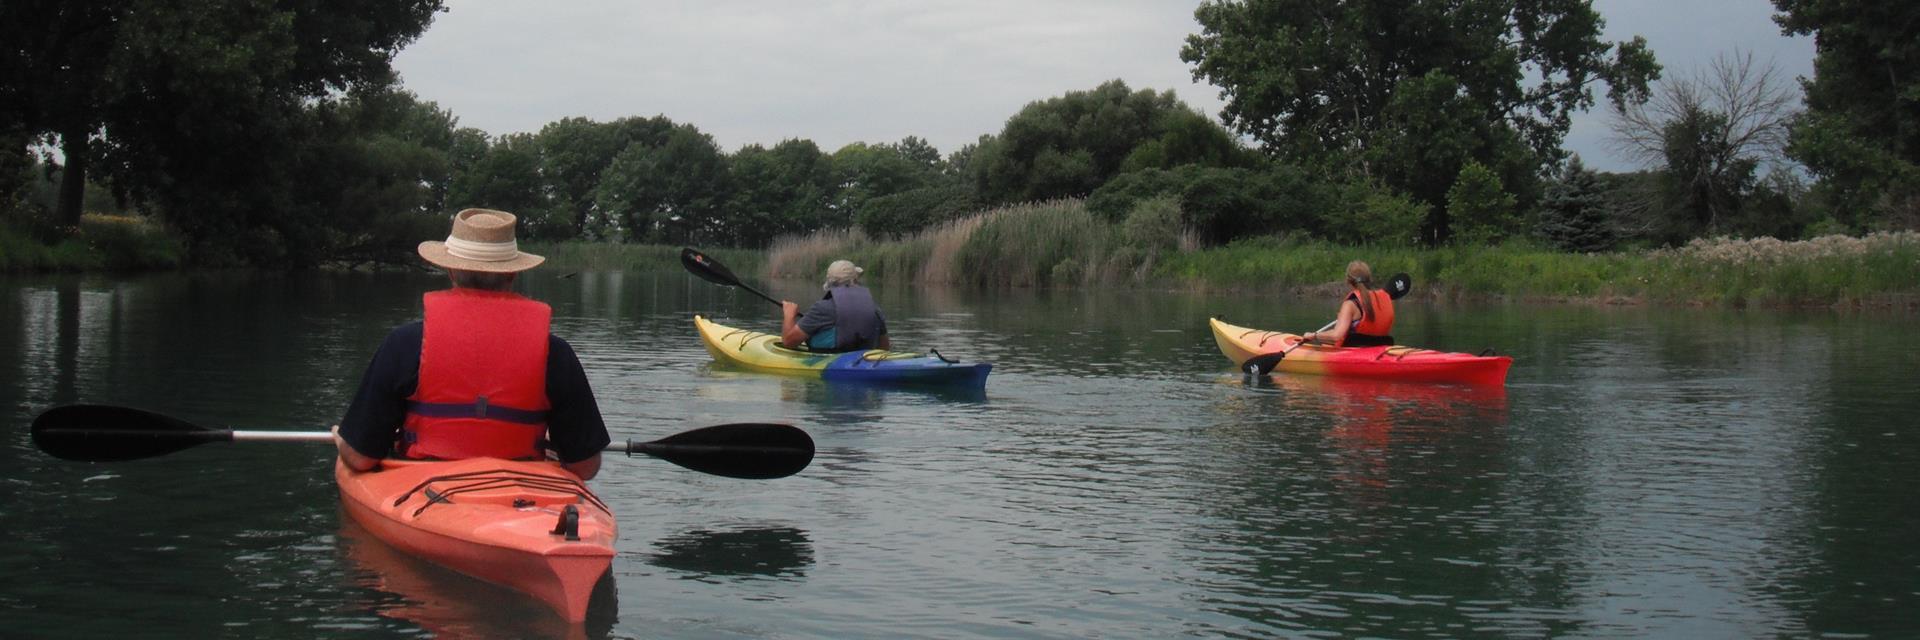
274	132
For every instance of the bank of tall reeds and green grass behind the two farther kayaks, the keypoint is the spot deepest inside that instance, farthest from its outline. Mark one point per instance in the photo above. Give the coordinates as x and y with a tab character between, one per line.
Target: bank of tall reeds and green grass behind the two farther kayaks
1061	245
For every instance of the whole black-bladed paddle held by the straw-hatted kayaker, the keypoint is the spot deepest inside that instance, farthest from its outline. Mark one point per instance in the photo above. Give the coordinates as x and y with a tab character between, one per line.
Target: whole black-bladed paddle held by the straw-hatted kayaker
112	433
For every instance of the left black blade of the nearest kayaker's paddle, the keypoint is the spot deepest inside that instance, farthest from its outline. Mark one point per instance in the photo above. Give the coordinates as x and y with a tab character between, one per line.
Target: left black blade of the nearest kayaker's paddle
108	433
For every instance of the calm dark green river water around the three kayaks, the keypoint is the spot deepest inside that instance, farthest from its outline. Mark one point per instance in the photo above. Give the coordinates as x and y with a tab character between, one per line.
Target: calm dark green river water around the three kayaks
1681	474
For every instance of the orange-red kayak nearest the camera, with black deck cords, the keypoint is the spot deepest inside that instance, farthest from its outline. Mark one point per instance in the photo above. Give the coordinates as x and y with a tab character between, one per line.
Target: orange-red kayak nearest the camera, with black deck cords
492	520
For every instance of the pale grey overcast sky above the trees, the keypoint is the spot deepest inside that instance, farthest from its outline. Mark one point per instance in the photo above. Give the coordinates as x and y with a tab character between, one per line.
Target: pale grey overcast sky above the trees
876	72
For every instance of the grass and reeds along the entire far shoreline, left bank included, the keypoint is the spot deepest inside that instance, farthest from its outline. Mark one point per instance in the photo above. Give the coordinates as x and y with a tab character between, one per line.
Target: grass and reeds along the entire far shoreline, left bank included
1063	245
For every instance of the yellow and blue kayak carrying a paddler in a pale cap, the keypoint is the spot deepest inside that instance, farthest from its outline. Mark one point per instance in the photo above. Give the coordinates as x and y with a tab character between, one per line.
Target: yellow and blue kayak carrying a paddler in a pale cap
763	353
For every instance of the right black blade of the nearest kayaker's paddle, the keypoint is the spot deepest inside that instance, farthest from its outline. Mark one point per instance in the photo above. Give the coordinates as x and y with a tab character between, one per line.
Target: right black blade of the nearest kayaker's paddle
742	451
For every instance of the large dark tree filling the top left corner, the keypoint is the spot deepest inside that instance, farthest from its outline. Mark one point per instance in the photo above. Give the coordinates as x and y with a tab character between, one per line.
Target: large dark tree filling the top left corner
145	89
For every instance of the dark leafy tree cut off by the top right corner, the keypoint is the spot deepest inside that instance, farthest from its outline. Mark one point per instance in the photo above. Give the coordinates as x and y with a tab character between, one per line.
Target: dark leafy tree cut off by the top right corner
1861	132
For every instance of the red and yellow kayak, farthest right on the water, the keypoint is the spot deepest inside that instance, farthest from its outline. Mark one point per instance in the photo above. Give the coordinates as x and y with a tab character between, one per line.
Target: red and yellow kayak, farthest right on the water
1362	362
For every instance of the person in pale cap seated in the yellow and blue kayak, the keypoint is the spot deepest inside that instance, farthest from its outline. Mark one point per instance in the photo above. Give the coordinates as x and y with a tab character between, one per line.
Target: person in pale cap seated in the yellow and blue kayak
846	320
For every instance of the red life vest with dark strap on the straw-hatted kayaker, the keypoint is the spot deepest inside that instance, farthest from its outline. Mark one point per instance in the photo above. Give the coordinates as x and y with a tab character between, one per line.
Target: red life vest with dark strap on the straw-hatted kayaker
483	378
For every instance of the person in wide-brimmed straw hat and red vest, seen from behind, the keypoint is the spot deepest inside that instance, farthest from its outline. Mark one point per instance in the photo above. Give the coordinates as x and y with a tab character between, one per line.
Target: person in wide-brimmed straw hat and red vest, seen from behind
481	374
